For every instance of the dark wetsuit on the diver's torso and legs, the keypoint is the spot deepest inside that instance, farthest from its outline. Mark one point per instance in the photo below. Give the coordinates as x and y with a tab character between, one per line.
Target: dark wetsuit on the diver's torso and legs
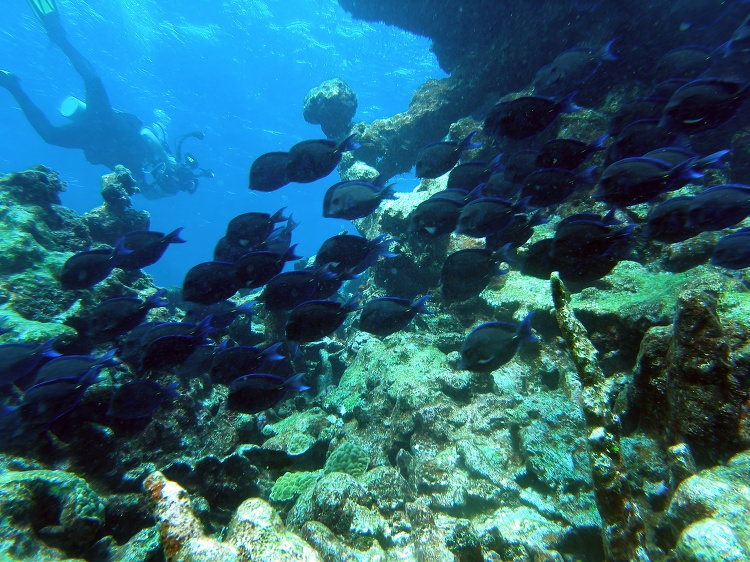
105	135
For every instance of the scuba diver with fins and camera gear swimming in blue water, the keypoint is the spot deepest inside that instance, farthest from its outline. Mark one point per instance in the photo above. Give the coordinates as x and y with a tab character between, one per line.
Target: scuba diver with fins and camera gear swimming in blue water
107	136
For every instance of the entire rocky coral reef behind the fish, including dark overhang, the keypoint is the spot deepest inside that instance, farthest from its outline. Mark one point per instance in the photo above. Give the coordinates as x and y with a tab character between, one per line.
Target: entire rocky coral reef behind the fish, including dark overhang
622	433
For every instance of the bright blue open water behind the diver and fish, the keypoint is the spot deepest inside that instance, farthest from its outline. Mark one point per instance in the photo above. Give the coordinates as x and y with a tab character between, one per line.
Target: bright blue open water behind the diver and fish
237	70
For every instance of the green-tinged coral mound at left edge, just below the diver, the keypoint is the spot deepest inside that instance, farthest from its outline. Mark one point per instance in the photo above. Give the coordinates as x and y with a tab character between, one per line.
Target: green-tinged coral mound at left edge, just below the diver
38	236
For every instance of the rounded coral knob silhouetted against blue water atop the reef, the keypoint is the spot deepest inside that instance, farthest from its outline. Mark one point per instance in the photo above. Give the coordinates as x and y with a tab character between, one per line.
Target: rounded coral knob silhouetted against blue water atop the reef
331	105
